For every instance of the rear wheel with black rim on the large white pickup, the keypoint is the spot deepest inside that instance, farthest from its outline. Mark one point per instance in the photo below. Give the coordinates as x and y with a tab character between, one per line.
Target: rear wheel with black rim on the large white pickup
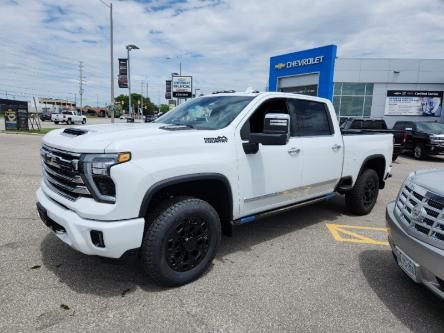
362	198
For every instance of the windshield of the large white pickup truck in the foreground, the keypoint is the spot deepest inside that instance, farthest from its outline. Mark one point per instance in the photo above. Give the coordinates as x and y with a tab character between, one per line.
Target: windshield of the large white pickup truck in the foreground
213	112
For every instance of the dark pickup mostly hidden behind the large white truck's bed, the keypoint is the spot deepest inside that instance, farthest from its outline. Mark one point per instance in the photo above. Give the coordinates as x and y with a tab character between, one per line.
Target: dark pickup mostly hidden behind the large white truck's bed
375	125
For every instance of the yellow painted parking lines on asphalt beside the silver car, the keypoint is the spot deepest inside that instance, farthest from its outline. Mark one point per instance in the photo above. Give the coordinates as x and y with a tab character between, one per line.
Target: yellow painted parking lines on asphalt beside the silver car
343	233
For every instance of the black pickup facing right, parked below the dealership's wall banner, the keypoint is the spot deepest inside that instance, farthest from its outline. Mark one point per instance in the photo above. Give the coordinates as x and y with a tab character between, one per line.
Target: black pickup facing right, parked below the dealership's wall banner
422	138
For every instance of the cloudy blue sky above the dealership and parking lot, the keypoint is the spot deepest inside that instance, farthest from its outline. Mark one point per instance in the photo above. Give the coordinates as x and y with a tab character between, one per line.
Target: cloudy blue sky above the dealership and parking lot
224	44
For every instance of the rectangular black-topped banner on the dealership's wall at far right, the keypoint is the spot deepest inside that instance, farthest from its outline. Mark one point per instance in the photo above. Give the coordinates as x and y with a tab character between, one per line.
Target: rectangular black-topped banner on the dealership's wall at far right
413	103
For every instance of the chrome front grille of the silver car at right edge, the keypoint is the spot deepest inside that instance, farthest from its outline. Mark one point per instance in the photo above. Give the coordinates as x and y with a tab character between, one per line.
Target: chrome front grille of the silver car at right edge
422	212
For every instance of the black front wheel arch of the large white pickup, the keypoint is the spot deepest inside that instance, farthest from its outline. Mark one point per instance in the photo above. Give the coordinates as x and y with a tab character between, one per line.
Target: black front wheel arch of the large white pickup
211	187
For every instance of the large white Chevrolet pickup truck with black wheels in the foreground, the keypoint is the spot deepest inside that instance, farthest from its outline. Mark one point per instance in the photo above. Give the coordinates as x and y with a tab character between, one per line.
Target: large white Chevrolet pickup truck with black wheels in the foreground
170	188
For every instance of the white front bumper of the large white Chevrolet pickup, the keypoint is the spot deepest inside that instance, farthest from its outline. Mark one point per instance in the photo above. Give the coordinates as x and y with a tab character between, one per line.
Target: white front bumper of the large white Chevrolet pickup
115	237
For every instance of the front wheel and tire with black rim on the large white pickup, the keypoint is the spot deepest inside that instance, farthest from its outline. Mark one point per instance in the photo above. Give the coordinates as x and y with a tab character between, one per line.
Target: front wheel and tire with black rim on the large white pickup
181	241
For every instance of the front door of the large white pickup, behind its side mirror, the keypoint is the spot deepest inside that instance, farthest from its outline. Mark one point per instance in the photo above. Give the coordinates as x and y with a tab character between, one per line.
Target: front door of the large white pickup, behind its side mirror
271	177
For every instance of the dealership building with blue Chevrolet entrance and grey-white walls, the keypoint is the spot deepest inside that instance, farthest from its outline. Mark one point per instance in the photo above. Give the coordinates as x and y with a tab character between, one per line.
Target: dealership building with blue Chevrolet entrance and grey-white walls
393	89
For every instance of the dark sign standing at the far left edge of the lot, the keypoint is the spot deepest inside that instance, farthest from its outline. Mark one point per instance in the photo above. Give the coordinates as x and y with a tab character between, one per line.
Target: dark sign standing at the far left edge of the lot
16	114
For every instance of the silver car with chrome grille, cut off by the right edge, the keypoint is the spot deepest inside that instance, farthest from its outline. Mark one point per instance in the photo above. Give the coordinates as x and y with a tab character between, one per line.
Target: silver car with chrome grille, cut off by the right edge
416	228
